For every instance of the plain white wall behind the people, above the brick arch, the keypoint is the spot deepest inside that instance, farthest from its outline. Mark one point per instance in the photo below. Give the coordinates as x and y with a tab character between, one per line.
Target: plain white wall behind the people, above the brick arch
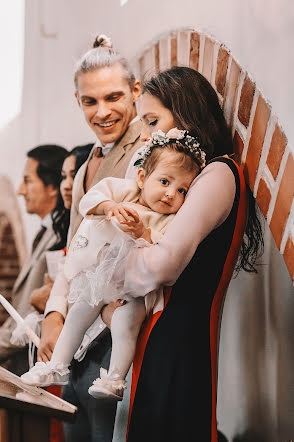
259	34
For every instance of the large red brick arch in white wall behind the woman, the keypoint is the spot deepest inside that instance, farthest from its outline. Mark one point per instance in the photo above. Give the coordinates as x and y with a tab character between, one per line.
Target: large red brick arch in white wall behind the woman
265	155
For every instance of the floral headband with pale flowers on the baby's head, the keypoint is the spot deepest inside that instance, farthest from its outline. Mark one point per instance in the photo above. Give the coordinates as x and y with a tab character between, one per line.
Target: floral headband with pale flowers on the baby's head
160	138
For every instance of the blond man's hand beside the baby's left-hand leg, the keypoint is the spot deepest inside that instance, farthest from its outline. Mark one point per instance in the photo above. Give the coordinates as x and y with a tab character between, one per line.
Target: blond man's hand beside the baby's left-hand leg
51	329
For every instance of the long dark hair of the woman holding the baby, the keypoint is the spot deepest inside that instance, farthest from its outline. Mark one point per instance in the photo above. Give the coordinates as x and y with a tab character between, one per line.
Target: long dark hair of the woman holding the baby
195	107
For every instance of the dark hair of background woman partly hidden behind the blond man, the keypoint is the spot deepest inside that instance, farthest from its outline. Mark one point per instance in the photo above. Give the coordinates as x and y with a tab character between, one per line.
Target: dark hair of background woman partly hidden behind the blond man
61	215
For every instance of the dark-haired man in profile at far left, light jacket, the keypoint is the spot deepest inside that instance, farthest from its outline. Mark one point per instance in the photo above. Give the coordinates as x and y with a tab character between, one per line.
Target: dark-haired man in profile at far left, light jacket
40	187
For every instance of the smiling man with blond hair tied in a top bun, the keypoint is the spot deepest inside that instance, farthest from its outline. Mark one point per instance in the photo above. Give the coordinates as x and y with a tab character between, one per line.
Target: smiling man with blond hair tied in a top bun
107	92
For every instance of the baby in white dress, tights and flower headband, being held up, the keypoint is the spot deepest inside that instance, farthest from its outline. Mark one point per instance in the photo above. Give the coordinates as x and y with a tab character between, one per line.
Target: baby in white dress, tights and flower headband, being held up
119	214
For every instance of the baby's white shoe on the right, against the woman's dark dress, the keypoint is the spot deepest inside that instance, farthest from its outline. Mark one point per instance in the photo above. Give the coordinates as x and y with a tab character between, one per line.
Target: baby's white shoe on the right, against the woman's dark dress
108	386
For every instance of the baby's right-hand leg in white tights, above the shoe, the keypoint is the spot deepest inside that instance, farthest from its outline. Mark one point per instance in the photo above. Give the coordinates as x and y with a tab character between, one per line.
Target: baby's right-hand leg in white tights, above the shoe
125	326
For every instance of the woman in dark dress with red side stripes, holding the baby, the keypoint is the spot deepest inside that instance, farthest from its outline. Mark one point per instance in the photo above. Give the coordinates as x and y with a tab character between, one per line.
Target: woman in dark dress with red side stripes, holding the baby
173	394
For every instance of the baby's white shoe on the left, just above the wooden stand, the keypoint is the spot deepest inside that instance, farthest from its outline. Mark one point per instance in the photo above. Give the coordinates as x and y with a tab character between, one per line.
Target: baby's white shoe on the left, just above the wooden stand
43	374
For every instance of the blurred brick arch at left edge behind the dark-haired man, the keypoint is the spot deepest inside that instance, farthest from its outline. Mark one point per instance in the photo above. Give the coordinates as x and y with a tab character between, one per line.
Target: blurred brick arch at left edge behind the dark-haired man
12	240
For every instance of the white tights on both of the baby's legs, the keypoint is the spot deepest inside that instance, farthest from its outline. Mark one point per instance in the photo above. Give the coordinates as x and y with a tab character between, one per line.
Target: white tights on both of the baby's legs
125	326
